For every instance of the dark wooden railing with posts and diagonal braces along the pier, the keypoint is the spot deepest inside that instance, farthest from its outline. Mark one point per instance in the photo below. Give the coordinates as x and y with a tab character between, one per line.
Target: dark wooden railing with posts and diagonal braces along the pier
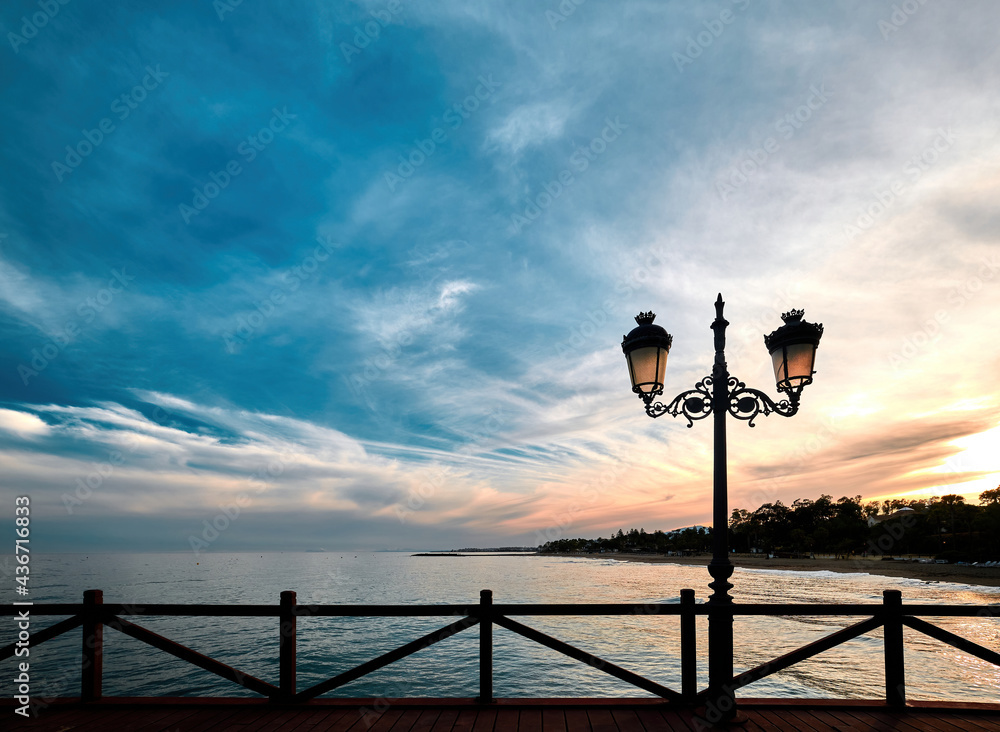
891	615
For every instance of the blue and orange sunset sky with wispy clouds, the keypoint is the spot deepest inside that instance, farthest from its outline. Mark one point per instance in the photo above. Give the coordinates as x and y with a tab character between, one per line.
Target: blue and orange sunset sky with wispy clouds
355	275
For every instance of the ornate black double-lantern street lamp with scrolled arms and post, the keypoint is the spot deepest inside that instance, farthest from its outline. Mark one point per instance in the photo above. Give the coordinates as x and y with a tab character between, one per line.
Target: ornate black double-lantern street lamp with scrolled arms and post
793	351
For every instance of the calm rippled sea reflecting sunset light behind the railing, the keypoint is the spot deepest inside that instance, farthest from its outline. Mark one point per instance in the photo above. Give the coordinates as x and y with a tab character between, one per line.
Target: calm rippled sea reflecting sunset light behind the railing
647	645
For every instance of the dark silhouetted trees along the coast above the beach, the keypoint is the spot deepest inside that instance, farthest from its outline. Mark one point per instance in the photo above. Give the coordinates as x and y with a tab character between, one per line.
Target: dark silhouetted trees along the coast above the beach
943	526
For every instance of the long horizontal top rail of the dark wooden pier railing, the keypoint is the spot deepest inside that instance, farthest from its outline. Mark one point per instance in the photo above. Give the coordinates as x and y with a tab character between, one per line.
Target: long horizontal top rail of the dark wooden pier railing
637	609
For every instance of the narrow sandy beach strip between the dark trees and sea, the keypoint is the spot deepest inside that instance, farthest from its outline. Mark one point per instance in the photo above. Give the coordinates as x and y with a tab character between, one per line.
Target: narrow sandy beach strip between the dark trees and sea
959	574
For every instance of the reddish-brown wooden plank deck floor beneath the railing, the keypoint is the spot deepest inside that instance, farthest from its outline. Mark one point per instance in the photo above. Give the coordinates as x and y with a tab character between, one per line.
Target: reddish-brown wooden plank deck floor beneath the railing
451	715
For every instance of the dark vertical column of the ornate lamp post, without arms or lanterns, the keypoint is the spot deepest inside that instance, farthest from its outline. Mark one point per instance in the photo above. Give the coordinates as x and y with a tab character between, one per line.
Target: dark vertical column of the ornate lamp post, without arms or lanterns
720	619
